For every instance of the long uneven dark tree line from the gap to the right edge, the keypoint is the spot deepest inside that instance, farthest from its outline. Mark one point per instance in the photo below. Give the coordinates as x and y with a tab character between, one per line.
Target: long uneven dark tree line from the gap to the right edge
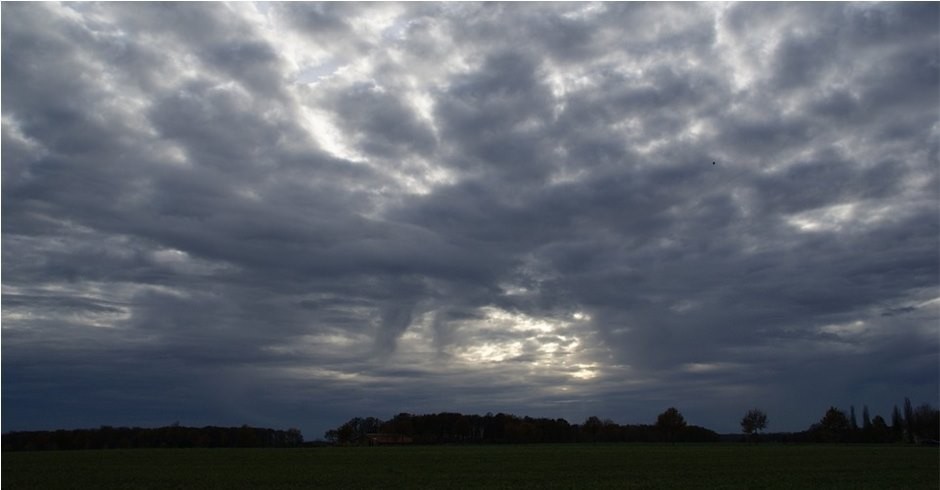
912	425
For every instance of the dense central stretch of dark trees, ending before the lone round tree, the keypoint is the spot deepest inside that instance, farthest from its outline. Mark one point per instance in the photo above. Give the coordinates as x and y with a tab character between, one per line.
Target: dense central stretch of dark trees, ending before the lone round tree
457	428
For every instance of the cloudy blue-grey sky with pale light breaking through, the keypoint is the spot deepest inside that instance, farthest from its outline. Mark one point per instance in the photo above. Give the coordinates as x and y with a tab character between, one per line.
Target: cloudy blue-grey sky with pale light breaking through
288	215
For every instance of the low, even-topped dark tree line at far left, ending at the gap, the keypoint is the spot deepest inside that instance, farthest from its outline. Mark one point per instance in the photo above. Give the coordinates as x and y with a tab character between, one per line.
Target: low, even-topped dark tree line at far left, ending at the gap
173	436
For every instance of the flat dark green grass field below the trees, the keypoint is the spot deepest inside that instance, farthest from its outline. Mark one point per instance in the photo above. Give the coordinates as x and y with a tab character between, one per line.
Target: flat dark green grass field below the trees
536	466
